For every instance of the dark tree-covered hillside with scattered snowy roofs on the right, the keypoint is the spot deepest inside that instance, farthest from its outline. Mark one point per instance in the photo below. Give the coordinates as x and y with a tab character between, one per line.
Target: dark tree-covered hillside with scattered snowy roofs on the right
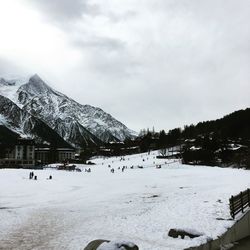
224	141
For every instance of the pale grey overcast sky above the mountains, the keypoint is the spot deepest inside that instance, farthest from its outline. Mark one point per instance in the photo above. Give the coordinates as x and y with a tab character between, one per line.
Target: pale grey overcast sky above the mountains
161	63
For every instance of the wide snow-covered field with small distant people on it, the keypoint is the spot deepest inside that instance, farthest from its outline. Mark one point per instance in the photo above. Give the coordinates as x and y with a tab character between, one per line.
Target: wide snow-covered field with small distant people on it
137	205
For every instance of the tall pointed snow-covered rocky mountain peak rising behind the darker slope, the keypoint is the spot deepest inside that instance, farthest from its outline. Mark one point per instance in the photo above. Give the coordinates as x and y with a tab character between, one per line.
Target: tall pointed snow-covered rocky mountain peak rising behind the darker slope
78	124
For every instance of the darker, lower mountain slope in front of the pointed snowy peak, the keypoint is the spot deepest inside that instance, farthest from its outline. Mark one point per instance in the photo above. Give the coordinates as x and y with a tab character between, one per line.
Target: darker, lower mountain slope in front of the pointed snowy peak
21	122
